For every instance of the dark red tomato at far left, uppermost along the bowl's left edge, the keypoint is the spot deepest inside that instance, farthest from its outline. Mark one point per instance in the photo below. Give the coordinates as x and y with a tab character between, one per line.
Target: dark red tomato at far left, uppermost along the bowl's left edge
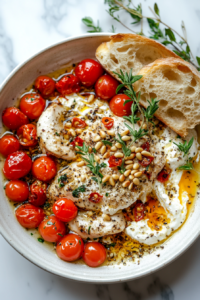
13	118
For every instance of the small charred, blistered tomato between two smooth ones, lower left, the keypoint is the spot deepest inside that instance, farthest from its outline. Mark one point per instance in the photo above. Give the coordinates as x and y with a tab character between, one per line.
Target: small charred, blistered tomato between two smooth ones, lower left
37	195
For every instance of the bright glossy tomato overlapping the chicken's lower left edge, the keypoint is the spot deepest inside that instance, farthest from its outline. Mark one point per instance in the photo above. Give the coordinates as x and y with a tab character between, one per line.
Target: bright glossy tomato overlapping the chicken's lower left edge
65	209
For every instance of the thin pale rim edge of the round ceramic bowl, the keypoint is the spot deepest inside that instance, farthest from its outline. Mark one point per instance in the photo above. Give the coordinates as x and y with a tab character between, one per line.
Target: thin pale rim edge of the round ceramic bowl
81	278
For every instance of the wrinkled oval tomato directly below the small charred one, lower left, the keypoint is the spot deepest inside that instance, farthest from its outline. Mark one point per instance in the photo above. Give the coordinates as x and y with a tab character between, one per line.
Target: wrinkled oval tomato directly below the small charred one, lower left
29	216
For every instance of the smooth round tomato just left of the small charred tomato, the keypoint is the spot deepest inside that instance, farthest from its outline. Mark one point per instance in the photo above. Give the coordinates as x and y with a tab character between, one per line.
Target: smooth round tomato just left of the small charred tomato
17	190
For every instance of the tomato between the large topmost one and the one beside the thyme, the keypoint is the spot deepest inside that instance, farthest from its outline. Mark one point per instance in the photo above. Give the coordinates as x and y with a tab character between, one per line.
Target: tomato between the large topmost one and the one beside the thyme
105	87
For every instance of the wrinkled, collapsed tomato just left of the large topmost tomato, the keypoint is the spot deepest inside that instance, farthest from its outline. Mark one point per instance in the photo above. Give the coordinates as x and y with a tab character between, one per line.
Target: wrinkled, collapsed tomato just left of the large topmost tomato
68	84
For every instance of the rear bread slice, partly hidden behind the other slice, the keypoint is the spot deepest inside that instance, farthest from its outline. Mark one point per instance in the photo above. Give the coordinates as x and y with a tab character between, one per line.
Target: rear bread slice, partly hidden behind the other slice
126	51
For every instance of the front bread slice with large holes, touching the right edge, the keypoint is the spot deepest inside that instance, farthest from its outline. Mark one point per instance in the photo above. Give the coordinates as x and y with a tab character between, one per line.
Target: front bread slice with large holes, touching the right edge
176	83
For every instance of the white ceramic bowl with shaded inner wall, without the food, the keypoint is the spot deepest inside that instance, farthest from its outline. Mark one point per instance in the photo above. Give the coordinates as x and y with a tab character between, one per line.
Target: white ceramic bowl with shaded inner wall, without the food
67	52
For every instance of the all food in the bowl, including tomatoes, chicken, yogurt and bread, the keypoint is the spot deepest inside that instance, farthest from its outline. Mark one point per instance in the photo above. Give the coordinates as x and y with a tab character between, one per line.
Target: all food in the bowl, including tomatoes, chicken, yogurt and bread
100	176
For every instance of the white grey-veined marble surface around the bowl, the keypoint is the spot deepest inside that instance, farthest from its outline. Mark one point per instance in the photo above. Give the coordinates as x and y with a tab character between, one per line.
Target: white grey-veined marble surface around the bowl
25	28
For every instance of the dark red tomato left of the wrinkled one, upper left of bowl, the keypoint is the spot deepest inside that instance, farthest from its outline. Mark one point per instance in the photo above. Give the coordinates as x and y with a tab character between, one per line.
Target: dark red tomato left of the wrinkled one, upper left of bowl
45	85
